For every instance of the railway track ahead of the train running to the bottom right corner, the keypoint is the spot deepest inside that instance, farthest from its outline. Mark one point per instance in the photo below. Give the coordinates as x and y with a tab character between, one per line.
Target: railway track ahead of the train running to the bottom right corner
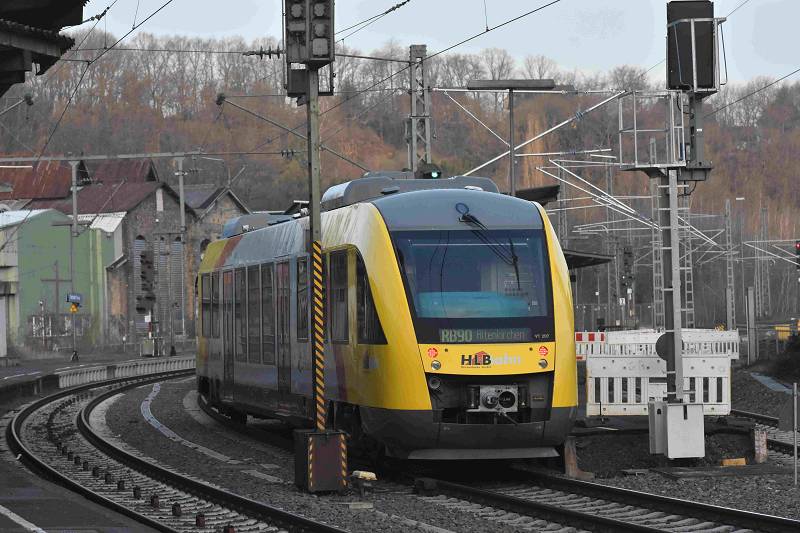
599	507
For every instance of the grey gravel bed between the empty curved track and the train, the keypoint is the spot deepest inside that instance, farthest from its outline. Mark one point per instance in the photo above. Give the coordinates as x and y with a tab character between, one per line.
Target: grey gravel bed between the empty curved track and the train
393	504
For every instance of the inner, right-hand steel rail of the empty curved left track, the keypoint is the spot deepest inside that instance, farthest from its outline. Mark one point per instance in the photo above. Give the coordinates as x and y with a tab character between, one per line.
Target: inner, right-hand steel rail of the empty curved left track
291	521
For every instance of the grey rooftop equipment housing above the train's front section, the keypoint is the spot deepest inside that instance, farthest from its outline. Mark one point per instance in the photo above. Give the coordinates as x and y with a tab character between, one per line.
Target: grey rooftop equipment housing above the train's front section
377	185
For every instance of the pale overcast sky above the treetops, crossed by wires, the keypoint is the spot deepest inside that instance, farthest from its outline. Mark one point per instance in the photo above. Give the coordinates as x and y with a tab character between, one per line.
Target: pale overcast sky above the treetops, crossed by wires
590	35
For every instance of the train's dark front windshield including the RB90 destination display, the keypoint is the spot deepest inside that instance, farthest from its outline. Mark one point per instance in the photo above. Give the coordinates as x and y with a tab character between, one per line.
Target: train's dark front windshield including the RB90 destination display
477	285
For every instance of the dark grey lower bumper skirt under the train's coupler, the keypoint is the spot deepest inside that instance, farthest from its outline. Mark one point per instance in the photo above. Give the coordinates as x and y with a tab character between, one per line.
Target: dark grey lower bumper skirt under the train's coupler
415	435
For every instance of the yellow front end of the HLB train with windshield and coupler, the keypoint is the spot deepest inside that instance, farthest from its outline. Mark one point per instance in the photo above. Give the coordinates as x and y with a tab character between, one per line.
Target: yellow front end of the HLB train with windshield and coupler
486	306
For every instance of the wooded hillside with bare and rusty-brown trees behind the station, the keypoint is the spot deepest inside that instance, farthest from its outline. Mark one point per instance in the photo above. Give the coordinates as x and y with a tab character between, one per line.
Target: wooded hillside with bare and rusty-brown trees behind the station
157	94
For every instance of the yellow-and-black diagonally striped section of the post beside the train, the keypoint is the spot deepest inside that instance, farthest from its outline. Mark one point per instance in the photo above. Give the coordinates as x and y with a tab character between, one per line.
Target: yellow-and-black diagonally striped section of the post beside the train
318	343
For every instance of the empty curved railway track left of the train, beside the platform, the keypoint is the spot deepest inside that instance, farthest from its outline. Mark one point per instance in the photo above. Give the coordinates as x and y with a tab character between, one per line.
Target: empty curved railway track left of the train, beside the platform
54	437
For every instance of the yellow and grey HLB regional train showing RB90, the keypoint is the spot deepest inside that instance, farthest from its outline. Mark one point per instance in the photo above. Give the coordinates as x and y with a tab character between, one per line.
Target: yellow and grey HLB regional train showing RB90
449	324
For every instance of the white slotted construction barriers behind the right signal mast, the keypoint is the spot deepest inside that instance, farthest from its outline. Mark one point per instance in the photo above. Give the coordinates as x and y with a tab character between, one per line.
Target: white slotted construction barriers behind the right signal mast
624	373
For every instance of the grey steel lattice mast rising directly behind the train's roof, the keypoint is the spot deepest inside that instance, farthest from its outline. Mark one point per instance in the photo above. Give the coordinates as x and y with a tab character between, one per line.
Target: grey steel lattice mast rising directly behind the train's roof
418	133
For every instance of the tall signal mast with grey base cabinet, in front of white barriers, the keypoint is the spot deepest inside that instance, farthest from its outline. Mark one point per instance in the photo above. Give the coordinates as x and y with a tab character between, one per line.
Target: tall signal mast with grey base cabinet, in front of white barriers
693	73
